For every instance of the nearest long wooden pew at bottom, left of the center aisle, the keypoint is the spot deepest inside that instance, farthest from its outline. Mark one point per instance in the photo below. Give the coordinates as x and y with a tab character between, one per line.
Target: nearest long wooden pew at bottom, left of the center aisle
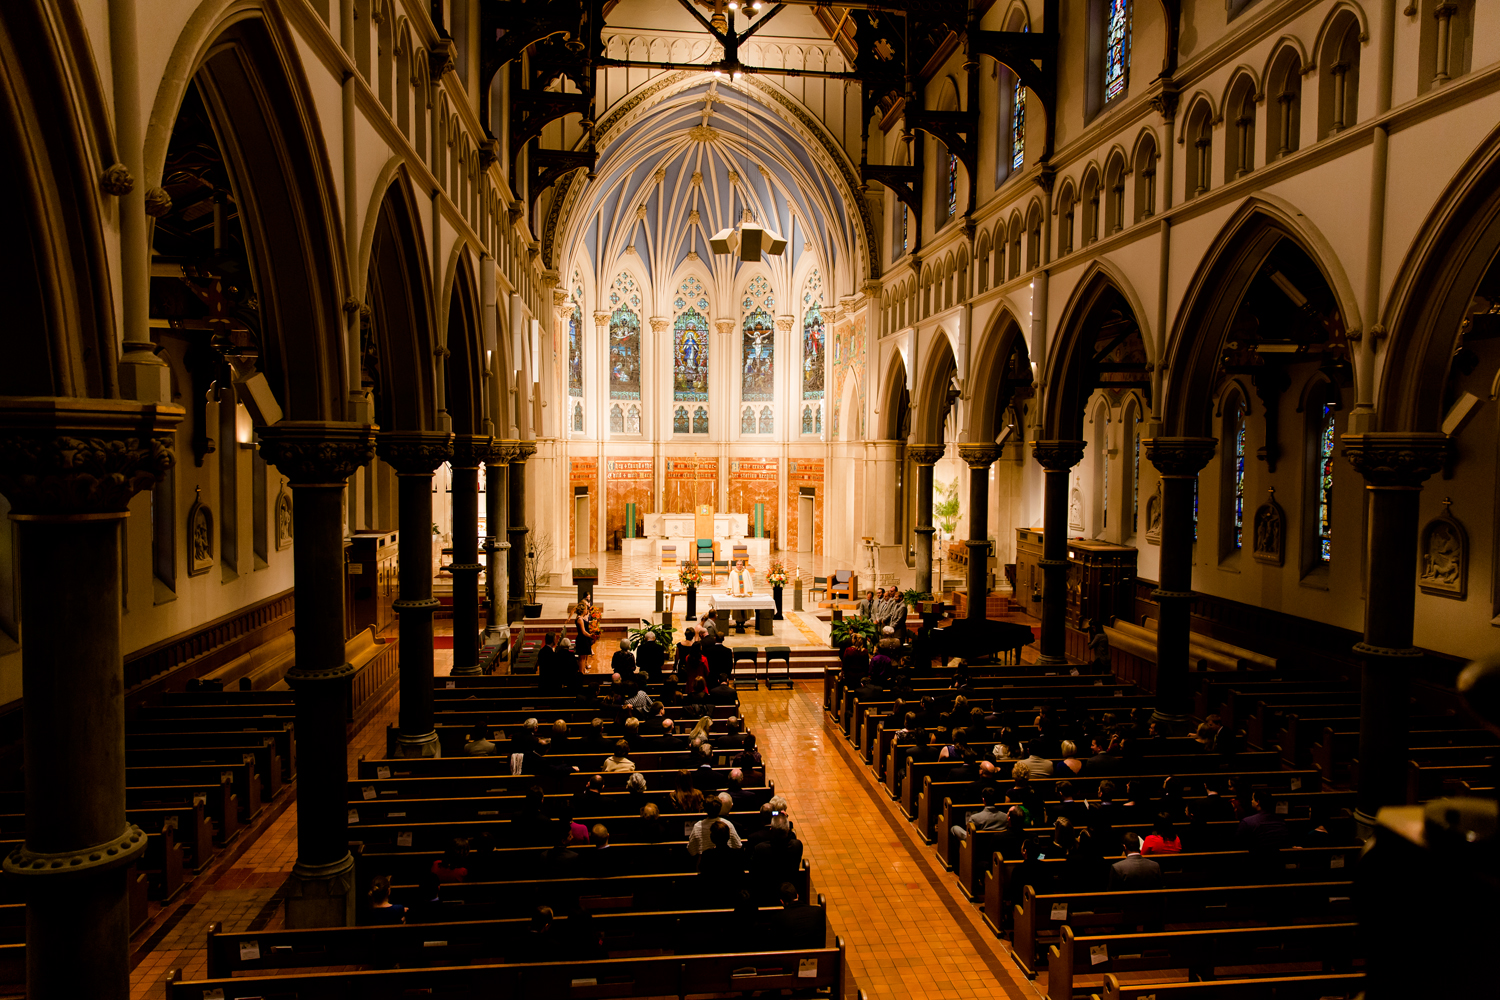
665	975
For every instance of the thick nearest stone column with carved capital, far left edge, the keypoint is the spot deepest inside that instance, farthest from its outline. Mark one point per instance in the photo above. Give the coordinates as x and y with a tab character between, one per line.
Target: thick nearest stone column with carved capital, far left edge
70	469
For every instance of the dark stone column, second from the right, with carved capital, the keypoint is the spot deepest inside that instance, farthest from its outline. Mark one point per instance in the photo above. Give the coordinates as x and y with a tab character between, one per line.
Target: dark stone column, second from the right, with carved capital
1180	463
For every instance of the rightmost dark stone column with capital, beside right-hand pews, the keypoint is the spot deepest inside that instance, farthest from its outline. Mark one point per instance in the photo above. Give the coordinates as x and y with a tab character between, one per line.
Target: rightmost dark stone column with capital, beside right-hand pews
1394	466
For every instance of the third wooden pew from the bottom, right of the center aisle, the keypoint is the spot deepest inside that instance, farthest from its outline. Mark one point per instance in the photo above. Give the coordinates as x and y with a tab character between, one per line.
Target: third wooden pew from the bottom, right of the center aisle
1040	918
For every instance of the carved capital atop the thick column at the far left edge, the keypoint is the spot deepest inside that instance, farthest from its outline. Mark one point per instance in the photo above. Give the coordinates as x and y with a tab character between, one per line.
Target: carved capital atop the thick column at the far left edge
64	458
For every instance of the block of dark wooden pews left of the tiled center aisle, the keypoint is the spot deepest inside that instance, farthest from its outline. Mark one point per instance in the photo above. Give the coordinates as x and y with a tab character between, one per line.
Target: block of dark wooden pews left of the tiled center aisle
662	932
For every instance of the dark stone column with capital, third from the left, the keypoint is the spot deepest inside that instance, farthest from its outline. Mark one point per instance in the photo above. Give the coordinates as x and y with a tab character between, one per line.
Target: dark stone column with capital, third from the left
416	455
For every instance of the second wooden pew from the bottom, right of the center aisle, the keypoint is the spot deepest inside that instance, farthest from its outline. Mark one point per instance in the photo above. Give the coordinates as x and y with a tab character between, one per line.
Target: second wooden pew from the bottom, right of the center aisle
1201	953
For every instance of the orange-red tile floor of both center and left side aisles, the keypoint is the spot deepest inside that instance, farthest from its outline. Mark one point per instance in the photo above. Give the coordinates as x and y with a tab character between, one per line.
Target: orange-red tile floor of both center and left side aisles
907	929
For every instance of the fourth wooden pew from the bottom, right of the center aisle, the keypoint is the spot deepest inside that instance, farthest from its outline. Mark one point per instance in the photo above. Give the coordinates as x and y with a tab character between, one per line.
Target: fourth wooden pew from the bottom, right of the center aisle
1196	869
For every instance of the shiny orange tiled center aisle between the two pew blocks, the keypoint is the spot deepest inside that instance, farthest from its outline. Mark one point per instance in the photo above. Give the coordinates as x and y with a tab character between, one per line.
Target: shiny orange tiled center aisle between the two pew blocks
907	930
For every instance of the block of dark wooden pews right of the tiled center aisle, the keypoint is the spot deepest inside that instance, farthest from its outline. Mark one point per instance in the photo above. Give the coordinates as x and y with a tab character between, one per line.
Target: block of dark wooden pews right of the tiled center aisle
1226	923
